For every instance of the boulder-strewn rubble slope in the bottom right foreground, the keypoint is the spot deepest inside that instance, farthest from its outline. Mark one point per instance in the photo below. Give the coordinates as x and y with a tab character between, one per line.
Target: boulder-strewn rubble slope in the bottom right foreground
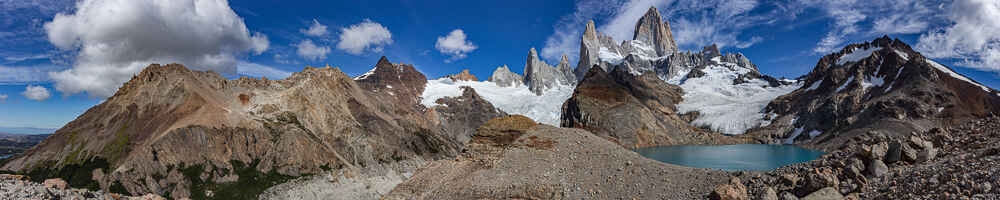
959	162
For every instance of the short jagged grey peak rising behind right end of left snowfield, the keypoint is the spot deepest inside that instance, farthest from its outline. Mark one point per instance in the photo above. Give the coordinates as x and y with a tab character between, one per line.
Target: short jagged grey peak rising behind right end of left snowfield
540	76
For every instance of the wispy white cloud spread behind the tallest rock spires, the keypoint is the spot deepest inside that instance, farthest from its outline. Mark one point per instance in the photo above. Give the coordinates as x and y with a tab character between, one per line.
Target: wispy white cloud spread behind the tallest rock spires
695	23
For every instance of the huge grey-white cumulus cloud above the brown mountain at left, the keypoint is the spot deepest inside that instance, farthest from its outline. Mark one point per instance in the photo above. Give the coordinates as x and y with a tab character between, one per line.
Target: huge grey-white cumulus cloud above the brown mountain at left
115	39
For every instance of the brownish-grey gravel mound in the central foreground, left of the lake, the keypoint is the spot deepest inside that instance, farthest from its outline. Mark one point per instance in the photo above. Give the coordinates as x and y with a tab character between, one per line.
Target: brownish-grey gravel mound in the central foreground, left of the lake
516	158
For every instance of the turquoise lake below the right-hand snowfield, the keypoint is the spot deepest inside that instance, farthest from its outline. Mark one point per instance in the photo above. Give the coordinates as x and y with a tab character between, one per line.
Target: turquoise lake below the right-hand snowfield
752	157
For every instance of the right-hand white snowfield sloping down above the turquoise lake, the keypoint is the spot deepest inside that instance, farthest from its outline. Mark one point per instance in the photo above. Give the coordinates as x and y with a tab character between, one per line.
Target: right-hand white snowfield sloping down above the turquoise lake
724	107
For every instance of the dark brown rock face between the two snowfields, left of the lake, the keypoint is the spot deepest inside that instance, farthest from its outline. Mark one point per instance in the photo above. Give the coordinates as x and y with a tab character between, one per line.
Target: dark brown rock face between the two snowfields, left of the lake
633	111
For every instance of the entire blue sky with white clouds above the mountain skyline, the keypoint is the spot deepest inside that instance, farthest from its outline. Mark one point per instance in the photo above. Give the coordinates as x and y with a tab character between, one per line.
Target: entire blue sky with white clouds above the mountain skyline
54	68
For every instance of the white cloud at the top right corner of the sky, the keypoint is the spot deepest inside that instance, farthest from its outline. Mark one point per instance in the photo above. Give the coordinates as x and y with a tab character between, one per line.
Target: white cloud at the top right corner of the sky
973	35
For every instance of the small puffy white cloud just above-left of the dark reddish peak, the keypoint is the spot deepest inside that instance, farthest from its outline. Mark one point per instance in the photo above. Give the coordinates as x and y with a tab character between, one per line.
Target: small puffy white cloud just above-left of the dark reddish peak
365	36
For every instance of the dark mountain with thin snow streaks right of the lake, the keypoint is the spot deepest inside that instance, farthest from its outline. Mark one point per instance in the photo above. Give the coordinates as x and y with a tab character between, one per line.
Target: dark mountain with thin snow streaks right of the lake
878	85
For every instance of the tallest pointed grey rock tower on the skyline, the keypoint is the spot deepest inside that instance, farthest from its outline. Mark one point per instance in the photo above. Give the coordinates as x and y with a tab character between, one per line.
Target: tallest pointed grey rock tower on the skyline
651	29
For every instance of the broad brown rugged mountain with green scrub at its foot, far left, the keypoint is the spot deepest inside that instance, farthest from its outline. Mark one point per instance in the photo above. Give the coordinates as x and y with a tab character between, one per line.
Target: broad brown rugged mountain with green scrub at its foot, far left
183	133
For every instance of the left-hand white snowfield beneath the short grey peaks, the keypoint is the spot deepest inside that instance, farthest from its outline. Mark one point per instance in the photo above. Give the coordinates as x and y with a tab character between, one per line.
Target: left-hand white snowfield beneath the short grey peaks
546	108
